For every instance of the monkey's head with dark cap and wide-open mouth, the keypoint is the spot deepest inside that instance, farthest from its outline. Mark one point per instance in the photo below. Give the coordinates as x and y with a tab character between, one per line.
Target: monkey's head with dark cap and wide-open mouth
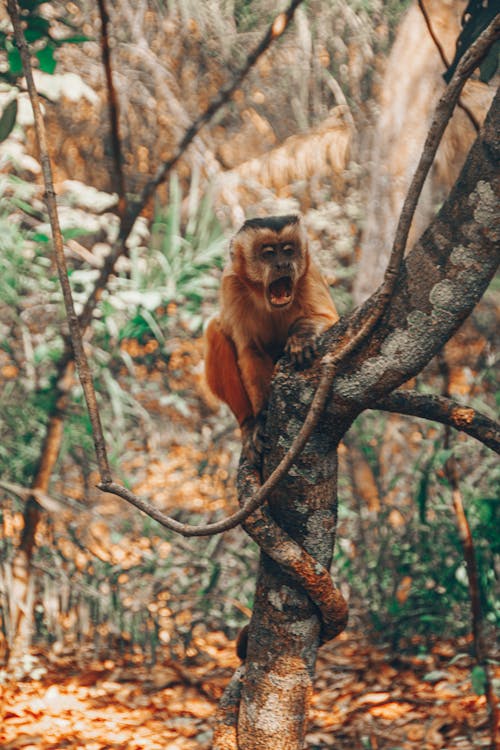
272	258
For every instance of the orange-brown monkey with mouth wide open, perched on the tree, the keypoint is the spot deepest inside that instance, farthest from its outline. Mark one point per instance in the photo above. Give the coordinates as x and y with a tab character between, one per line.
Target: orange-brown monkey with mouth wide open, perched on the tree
273	299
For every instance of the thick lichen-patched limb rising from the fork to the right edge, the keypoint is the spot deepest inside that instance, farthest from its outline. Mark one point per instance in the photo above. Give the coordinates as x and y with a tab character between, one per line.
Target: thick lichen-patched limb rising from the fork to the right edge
442	279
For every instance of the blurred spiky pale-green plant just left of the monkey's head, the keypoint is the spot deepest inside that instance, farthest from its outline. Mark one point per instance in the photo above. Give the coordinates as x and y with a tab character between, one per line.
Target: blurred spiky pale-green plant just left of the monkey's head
179	265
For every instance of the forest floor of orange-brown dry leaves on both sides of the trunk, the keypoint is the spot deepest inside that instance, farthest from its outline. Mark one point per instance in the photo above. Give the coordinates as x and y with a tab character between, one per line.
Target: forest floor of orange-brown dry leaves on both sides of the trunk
363	698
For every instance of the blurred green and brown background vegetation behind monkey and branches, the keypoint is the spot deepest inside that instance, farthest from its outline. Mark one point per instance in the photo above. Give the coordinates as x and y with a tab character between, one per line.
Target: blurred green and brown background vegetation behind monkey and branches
107	577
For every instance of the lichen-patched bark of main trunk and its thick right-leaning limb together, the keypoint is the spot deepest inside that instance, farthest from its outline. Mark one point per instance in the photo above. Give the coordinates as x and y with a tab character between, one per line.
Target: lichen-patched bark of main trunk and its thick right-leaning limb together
443	277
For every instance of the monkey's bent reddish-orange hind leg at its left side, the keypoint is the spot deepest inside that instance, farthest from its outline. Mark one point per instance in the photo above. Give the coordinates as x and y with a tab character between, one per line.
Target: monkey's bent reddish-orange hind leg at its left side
223	373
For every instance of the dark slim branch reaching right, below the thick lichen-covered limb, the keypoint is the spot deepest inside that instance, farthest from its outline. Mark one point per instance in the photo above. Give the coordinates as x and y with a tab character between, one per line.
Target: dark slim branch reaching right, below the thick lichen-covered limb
446	411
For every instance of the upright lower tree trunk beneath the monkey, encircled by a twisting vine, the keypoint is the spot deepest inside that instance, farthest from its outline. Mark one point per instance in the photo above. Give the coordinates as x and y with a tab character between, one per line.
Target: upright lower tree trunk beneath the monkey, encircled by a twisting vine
284	633
